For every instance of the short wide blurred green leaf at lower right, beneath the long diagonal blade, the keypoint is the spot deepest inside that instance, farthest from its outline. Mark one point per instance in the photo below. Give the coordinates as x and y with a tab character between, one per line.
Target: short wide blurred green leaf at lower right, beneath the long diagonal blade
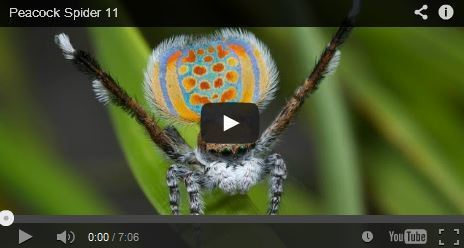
397	188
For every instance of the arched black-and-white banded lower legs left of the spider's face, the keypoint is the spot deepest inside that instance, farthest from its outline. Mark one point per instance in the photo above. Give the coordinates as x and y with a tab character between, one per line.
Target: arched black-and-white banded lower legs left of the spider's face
178	172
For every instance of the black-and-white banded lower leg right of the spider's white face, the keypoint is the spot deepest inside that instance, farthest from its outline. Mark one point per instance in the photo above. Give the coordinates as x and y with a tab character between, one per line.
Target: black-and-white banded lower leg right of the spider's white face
278	172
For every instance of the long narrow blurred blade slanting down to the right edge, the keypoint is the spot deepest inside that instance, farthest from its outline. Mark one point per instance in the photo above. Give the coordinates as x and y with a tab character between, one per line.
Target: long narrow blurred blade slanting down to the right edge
391	117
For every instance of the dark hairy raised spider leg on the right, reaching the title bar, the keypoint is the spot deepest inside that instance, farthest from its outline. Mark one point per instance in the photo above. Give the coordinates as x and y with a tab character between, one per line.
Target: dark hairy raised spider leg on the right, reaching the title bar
327	63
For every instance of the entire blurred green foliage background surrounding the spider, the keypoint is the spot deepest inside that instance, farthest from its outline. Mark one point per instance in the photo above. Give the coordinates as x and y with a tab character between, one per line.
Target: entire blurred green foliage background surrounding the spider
382	135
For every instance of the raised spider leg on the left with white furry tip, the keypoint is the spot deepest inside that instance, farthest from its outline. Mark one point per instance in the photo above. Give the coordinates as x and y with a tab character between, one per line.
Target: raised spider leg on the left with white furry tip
107	90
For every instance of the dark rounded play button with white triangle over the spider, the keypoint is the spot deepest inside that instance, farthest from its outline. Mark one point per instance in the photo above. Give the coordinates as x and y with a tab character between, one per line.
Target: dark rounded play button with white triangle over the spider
229	123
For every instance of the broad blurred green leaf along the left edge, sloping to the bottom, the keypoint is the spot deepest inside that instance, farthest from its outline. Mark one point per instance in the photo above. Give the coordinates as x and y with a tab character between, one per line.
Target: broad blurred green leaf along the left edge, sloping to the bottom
29	167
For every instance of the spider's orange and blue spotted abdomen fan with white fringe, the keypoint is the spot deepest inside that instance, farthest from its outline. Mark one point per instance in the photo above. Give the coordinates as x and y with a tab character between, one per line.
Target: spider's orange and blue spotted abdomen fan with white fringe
184	73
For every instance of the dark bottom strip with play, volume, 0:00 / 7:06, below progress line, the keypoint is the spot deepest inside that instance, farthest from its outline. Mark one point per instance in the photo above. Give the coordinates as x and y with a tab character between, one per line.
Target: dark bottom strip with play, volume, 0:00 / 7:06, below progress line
251	234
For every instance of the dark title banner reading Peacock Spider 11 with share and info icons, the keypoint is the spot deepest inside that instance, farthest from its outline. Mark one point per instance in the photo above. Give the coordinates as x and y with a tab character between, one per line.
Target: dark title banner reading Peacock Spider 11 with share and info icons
155	13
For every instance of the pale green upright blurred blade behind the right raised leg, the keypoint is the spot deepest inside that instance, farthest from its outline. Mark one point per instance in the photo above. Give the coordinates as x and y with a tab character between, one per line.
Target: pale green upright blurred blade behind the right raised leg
336	149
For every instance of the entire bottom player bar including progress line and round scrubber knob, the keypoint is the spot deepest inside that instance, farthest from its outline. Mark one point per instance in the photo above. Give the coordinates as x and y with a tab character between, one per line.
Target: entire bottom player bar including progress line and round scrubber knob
183	231
